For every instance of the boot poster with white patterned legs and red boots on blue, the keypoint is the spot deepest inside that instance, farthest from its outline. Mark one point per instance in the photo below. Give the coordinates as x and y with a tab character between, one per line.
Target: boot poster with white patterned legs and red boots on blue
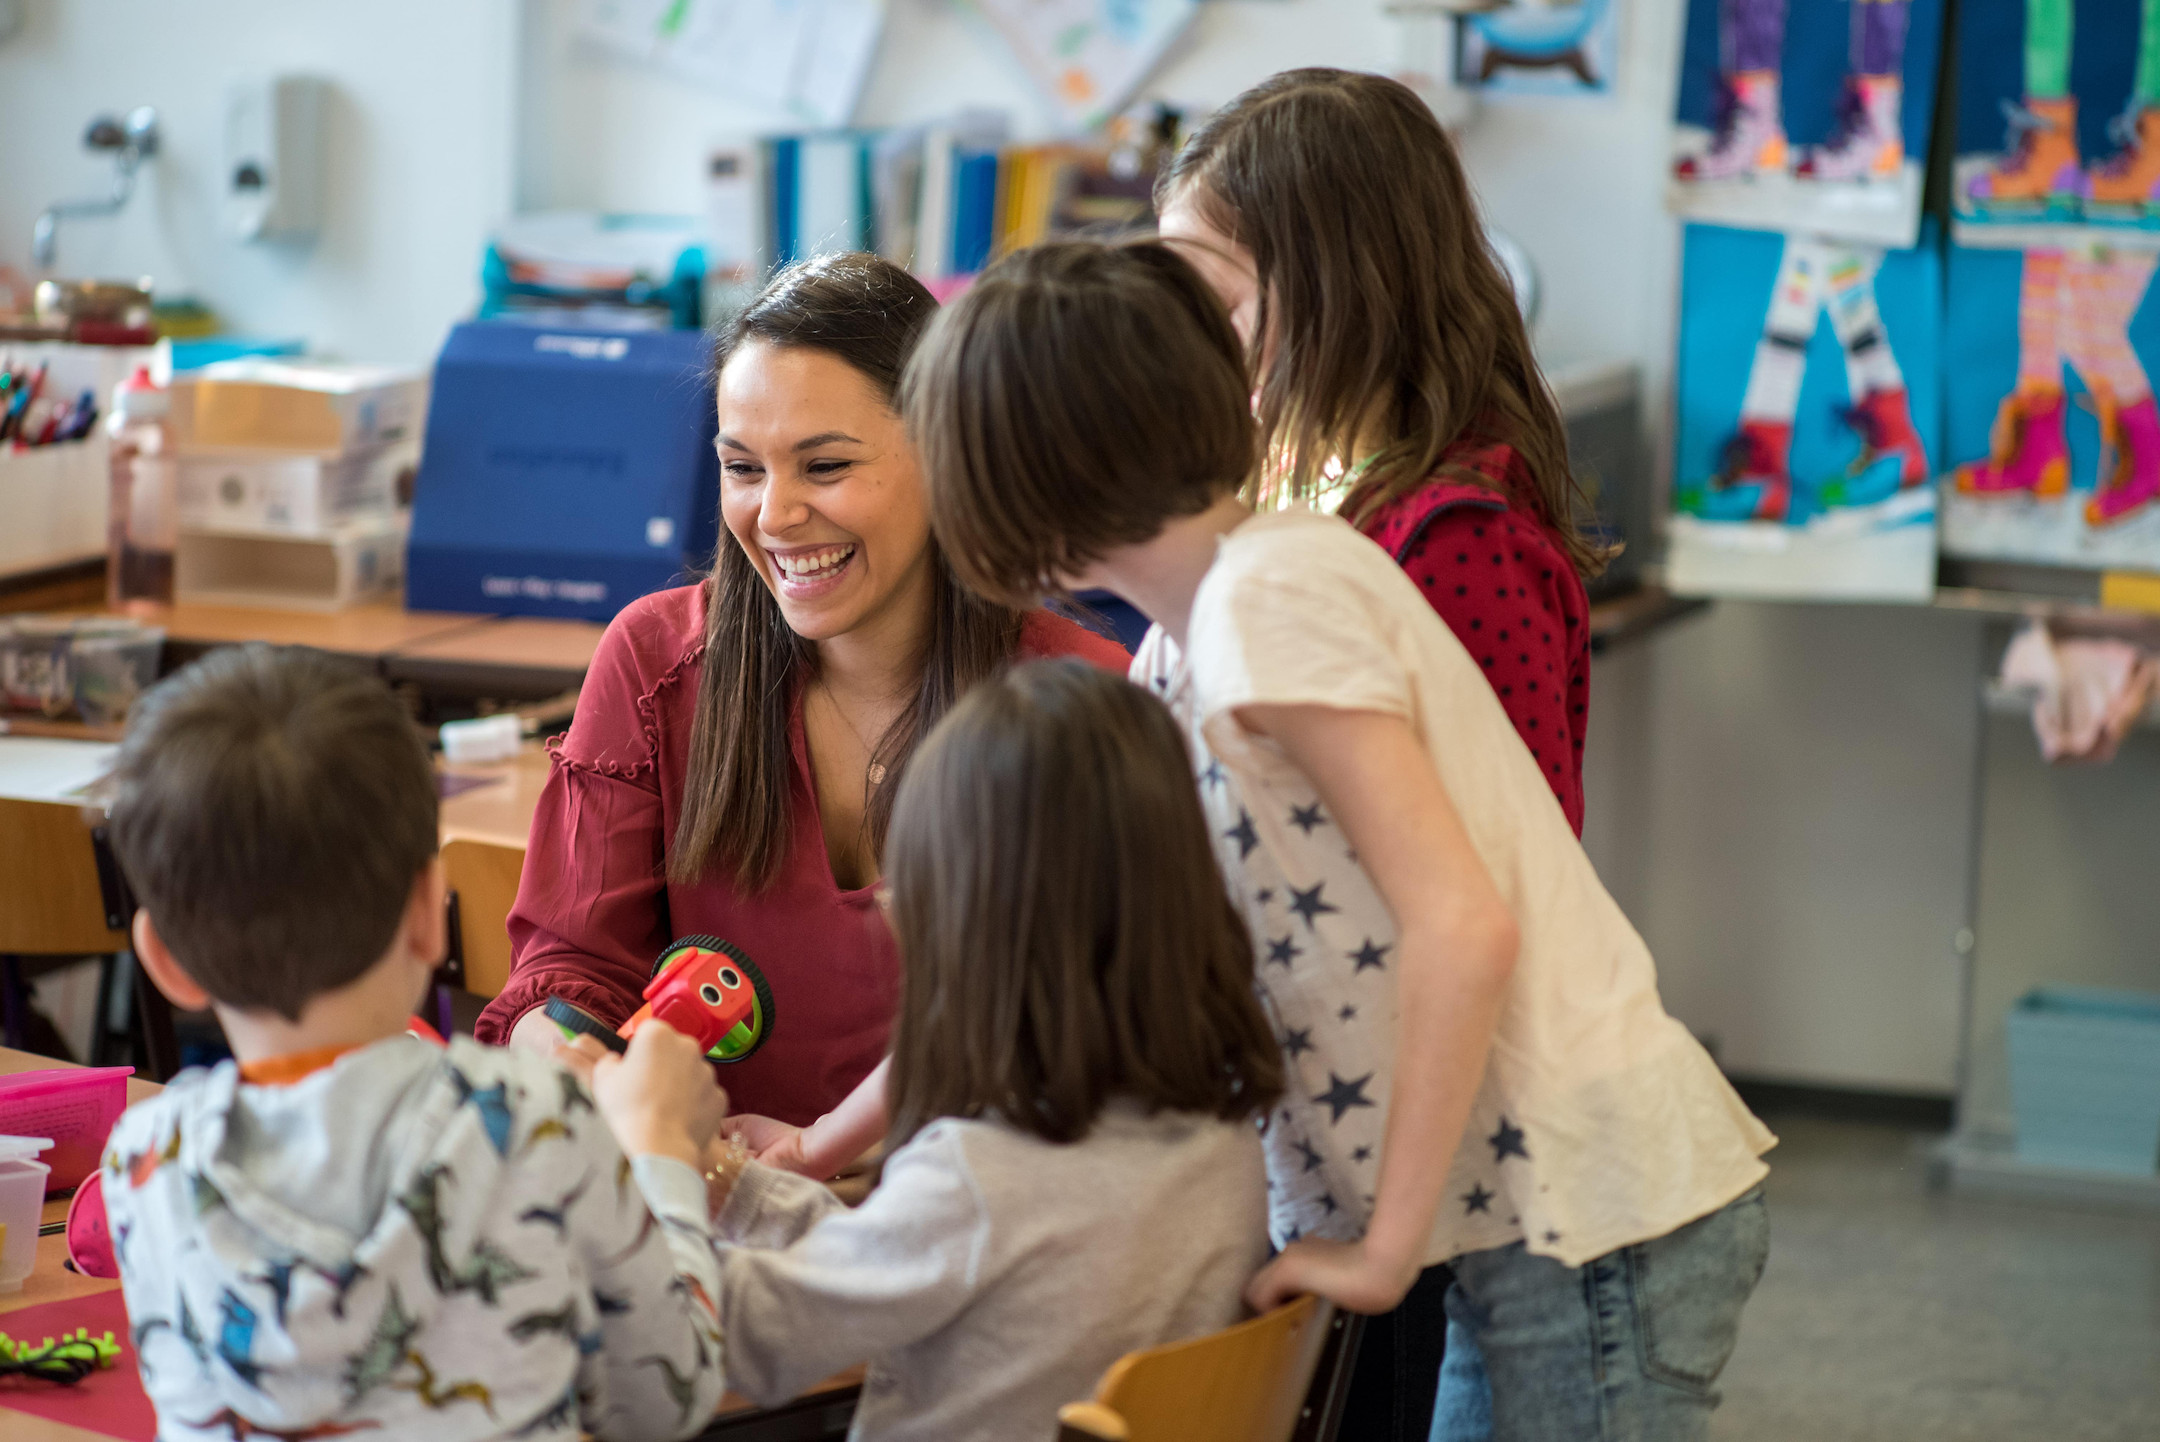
1809	398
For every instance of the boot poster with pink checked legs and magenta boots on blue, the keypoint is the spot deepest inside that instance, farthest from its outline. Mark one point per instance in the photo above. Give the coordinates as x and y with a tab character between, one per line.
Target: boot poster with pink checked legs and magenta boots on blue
2051	433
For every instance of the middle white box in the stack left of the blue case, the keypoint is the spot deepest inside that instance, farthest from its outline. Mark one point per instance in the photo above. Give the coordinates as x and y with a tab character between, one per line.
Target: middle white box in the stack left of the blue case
288	495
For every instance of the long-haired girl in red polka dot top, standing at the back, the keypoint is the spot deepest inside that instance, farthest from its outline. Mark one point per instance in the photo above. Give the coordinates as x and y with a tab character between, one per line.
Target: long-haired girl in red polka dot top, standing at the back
1392	366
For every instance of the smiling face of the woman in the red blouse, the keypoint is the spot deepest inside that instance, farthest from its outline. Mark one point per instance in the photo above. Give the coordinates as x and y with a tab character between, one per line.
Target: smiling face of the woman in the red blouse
820	487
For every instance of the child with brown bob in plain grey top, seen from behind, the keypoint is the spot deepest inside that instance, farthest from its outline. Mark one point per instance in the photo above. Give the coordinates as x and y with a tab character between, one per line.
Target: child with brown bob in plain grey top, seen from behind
1077	1067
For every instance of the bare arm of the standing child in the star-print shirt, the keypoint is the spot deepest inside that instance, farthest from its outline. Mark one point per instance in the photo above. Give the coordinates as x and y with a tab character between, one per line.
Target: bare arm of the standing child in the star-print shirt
1457	947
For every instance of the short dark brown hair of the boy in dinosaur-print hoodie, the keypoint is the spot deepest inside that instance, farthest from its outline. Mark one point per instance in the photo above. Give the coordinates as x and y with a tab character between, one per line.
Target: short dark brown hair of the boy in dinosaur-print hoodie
273	811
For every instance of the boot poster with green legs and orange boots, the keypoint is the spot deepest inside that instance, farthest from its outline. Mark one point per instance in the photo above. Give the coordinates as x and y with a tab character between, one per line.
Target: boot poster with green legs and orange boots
2057	124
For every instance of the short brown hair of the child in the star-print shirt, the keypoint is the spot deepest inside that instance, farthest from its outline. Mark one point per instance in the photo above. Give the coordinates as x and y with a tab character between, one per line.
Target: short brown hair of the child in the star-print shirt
1070	403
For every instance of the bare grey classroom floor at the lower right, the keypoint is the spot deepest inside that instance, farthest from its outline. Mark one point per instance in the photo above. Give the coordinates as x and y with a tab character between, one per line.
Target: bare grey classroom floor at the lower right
1893	1314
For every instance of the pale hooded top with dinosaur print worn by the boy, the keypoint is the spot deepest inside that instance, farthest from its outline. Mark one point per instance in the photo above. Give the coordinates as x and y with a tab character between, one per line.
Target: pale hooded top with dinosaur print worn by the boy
455	1266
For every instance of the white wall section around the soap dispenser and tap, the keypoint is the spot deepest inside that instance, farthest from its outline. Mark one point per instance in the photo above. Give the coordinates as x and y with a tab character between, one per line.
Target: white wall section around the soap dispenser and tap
420	154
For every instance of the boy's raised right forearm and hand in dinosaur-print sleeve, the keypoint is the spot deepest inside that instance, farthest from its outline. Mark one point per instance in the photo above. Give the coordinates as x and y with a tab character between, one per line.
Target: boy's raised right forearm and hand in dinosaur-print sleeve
640	1223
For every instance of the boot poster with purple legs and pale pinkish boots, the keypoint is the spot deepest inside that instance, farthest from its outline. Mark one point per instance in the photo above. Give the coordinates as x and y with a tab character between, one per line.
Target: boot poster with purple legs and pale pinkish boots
1807	118
